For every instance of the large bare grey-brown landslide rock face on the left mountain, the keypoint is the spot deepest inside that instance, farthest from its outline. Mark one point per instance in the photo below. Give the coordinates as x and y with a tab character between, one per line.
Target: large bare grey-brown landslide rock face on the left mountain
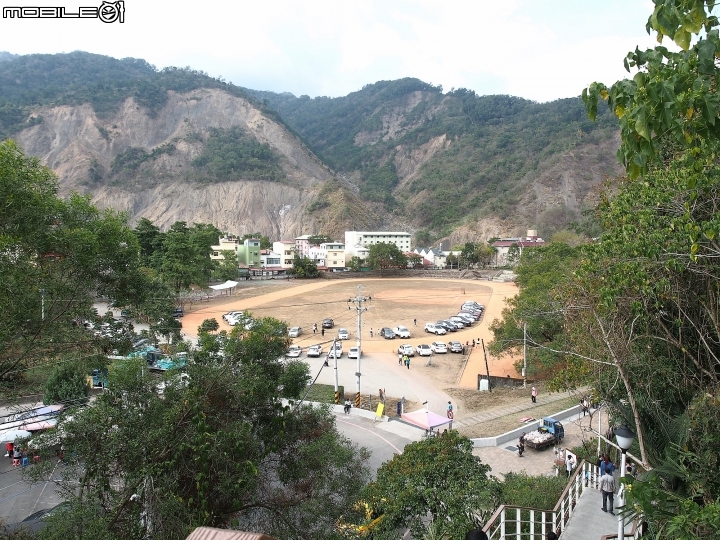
72	139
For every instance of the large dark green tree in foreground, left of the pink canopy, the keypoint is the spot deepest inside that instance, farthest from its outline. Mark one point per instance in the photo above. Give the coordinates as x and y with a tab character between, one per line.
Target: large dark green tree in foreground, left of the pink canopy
217	447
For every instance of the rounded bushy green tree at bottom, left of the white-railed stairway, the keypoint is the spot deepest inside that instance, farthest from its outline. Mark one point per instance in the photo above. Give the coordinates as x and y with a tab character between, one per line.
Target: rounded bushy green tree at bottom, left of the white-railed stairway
438	478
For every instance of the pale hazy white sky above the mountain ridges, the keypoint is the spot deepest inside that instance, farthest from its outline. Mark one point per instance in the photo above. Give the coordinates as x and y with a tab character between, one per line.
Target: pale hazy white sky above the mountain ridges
537	50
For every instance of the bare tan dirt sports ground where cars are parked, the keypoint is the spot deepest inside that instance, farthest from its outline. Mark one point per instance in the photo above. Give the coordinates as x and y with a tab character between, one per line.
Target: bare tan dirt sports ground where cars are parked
392	302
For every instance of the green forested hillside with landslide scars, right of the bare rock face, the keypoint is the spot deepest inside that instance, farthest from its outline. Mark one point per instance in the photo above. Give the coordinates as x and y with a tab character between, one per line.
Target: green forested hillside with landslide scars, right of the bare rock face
493	147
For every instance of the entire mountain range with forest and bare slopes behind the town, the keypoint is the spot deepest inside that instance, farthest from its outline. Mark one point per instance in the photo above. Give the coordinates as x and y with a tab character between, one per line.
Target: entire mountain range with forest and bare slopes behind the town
176	144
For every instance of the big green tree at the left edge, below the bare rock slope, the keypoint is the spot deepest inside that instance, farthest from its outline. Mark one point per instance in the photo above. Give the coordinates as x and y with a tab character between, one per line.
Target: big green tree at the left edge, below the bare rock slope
56	255
